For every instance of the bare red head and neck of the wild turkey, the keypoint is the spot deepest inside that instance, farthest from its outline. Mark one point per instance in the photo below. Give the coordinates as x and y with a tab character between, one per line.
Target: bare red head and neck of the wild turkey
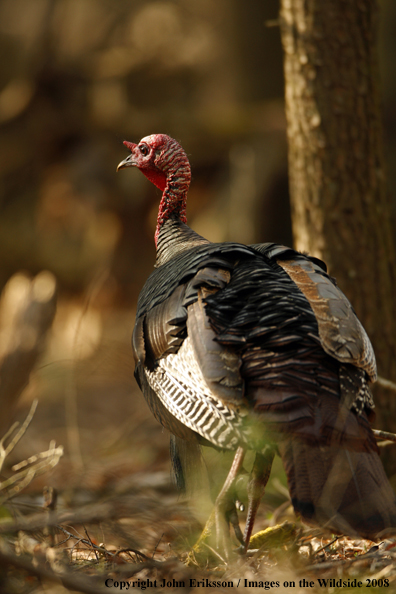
165	164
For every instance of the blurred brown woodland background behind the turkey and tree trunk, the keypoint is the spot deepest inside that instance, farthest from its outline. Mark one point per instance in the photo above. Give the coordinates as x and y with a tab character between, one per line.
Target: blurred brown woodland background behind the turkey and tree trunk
76	79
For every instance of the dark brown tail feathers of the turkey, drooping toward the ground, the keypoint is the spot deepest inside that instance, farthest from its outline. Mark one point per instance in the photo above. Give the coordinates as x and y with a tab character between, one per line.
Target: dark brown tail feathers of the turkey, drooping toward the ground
345	490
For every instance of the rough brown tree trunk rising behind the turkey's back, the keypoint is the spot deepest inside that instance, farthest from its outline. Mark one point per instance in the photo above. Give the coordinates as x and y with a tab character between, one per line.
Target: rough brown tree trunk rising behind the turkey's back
340	207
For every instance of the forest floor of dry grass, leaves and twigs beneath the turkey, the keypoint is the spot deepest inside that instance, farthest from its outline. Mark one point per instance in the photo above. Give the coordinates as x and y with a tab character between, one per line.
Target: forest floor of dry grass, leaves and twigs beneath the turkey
105	516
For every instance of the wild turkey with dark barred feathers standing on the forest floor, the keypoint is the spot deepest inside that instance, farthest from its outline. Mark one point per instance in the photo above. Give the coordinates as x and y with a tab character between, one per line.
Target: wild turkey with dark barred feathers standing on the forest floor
255	348
